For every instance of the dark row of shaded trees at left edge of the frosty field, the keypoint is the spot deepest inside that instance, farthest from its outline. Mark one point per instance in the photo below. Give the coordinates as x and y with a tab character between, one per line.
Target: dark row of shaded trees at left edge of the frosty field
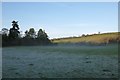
13	37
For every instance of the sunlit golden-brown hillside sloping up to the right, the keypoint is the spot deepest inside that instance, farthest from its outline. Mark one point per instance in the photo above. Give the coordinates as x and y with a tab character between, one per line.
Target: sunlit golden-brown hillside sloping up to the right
112	37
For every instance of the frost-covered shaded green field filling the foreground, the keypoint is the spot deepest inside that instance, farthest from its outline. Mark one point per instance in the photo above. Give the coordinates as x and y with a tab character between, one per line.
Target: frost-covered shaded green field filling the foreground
60	62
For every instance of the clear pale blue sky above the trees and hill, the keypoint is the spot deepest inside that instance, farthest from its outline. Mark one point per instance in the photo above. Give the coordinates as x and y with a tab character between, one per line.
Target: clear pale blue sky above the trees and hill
62	19
